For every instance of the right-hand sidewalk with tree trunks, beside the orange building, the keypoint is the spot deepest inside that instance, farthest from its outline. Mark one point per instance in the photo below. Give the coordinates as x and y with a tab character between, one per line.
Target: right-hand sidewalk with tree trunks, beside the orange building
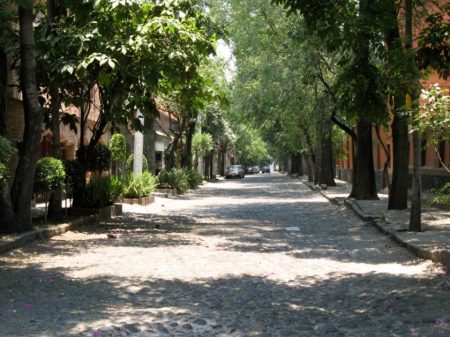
432	243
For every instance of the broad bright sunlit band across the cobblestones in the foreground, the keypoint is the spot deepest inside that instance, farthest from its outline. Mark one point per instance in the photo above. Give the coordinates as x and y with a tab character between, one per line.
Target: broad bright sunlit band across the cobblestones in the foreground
190	263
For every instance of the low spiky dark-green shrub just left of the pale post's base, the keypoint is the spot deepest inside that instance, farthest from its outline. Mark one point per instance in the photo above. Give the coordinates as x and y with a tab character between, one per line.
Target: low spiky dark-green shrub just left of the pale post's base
102	191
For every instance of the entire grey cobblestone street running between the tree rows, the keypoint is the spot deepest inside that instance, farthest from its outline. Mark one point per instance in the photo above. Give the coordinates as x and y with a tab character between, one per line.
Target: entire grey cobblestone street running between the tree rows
259	256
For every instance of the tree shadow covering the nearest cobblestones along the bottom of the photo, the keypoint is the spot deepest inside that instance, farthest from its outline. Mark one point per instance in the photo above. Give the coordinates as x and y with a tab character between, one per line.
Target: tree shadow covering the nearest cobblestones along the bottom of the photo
45	302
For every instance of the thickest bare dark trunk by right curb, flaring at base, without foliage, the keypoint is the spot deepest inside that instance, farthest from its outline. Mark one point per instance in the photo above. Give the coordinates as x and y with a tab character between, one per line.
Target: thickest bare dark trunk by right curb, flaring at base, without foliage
364	186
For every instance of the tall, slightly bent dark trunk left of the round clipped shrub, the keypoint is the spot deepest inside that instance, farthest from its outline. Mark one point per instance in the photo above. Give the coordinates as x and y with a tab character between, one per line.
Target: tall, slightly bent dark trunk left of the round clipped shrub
22	188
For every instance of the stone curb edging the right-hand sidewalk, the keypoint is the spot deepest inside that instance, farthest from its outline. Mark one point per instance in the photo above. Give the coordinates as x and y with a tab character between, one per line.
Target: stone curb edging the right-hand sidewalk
439	255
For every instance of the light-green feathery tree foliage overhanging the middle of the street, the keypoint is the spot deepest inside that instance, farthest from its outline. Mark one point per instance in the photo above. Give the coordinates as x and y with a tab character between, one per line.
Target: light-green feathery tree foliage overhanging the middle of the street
278	86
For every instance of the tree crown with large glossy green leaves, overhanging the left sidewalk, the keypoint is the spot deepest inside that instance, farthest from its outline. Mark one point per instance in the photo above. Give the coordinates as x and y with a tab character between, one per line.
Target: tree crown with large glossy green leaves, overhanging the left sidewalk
118	71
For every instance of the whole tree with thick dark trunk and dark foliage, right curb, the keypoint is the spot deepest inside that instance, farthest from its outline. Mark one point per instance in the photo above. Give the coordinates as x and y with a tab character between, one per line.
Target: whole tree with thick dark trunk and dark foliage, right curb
349	29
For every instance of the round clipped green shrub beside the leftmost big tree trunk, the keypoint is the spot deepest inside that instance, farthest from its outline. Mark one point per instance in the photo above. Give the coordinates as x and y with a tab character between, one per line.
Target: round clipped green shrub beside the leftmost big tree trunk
50	175
